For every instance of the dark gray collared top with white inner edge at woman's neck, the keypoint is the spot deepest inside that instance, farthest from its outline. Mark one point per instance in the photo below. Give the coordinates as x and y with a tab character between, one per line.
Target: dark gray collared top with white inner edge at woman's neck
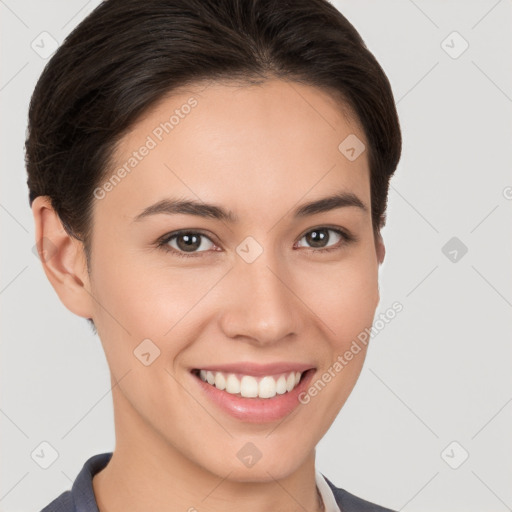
81	496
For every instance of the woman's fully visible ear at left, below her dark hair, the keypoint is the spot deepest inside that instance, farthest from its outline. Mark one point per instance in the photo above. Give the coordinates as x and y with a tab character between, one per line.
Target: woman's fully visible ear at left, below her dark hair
63	259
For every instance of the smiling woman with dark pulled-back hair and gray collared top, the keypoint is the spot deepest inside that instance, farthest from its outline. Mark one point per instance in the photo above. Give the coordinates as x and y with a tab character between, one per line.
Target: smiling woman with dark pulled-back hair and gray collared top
208	180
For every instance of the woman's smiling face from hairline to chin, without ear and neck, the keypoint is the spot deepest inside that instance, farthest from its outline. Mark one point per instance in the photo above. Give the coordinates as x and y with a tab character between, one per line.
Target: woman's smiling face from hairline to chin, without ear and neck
248	281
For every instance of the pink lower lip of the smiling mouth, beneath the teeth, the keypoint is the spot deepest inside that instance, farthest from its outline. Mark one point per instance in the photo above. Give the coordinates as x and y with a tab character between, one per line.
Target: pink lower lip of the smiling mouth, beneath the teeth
256	410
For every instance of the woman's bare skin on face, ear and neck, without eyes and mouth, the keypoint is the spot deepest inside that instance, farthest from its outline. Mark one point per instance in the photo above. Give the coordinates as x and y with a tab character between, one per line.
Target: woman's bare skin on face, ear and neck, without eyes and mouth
259	151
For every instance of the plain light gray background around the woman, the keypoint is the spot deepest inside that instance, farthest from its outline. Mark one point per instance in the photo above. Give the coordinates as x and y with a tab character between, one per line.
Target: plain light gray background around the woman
439	372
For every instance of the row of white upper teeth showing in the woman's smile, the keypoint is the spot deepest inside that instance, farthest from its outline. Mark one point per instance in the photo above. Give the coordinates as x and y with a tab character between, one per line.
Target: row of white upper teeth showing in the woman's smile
252	387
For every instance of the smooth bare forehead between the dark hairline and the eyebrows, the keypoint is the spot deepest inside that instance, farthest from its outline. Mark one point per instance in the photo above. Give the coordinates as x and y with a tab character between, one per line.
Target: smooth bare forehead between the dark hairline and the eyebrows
247	144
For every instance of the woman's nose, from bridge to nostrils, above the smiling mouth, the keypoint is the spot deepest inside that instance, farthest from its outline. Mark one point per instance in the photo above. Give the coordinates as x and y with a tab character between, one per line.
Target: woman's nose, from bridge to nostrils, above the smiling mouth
262	306
